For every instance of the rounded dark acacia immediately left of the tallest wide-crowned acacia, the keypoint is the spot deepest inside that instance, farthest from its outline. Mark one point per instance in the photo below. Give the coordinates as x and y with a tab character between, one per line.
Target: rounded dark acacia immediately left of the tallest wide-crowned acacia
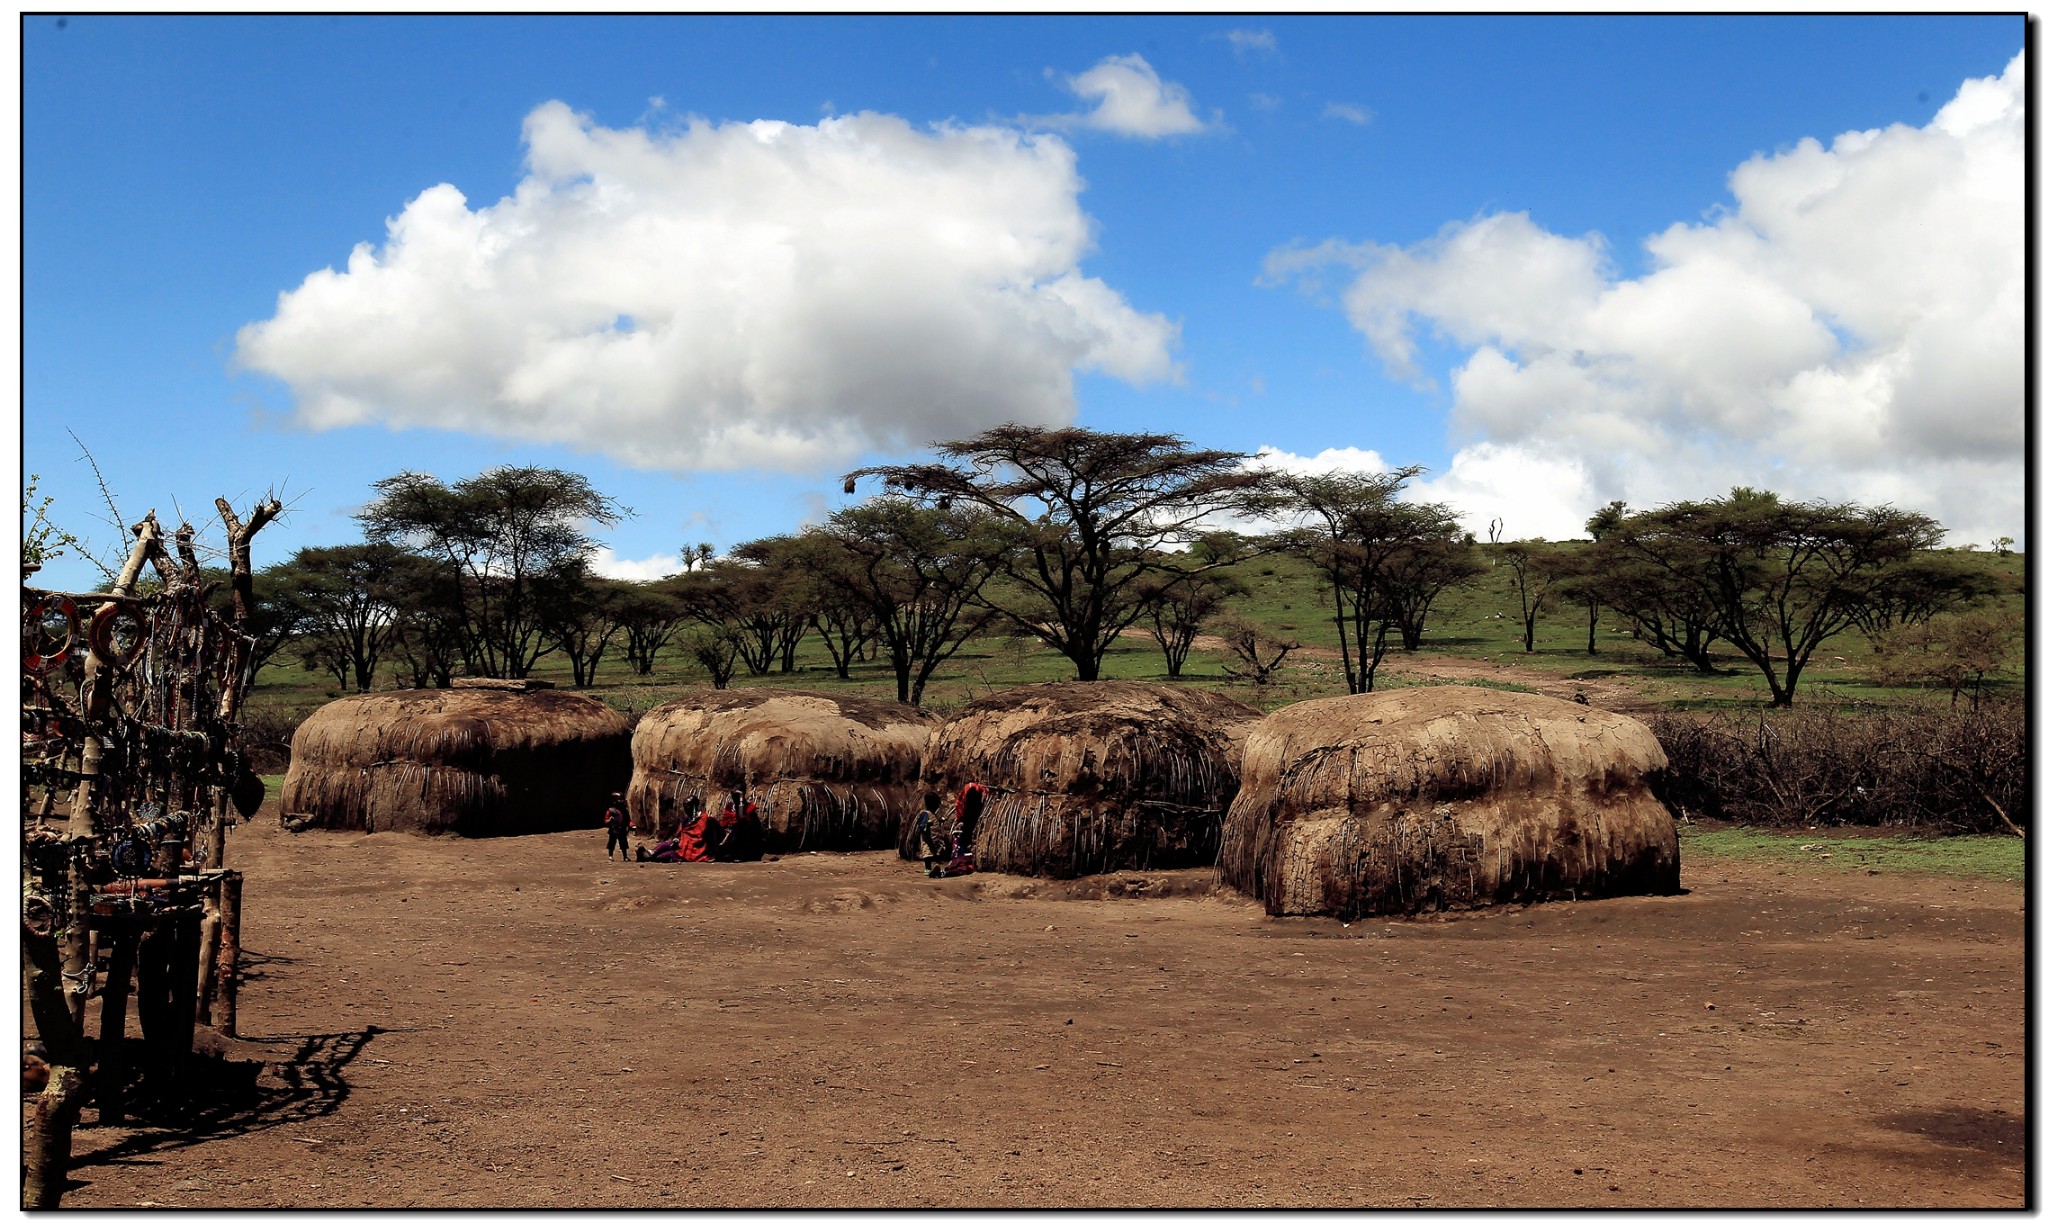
916	573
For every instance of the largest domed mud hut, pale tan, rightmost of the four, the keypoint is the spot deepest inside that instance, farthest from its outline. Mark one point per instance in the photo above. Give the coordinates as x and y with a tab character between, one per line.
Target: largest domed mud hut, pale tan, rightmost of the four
1445	800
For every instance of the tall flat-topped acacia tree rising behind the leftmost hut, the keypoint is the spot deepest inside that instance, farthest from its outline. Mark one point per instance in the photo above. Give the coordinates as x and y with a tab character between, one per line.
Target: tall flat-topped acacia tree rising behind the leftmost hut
505	534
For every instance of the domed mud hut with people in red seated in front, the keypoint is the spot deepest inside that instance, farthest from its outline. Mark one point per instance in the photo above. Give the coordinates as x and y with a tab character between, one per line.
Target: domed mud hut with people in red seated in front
828	773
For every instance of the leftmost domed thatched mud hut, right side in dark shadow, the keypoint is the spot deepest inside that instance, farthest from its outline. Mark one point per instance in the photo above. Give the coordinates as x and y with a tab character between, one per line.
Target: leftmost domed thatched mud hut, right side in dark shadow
468	761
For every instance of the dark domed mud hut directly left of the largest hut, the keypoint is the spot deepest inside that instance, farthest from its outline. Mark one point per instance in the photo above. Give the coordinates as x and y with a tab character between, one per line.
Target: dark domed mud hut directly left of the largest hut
1093	777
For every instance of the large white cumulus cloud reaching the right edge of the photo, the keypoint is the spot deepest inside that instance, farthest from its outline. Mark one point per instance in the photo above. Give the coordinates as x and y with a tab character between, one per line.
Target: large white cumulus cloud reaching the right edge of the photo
1850	327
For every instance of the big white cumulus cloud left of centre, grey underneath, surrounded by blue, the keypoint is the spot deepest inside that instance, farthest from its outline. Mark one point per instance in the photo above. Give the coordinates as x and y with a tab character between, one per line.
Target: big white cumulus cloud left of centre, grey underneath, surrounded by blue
724	296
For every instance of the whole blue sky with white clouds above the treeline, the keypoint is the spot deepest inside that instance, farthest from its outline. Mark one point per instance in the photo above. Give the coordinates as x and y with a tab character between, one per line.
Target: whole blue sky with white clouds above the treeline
1504	249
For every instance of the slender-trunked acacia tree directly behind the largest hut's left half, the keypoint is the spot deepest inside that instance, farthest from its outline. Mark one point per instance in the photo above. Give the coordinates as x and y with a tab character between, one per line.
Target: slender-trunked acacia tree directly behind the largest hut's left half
1357	534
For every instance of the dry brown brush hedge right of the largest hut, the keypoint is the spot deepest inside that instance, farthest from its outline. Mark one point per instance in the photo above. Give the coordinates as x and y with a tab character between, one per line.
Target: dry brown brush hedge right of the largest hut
1961	769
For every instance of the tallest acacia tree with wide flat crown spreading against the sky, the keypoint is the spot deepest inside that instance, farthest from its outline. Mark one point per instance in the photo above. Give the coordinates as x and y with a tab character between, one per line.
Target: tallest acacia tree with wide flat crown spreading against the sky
1091	517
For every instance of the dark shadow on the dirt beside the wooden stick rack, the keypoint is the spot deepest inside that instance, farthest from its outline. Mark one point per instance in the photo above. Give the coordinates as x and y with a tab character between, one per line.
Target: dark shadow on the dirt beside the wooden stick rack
234	1087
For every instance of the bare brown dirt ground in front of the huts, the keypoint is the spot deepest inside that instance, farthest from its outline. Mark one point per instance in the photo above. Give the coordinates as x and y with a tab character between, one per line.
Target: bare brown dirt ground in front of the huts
519	1023
